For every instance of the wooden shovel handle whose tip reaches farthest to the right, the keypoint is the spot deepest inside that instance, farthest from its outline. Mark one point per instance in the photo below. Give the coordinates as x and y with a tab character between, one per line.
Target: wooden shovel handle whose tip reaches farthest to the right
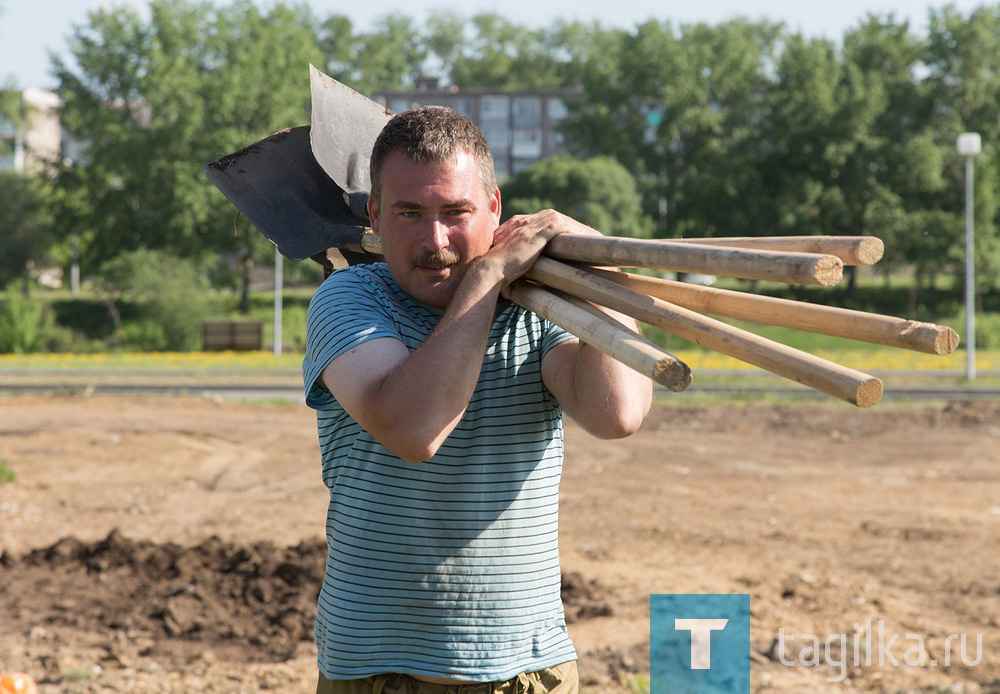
799	315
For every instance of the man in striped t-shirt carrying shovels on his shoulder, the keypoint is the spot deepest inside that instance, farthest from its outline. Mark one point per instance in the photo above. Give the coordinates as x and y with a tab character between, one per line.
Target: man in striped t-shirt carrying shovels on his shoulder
439	411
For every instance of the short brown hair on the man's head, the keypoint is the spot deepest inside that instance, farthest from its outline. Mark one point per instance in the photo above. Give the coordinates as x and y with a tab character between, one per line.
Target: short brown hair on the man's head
431	135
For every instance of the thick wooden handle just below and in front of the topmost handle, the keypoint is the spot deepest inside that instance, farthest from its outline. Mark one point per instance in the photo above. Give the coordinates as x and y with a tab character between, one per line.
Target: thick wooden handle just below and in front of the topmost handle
774	266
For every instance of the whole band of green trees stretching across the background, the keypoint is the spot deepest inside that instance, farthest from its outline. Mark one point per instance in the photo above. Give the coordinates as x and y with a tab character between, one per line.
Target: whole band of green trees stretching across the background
739	128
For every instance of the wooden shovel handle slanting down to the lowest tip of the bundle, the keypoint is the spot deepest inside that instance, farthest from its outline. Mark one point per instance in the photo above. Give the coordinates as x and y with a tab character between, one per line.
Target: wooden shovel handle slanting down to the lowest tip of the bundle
847	384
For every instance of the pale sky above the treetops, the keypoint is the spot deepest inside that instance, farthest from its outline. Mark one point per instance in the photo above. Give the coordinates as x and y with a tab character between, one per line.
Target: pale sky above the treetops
30	29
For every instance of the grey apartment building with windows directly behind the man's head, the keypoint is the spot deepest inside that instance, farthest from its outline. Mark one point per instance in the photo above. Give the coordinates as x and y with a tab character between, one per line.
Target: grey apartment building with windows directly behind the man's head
520	127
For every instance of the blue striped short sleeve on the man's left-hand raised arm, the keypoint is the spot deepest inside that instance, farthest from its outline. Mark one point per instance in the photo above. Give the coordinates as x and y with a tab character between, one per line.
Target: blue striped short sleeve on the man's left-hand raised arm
348	309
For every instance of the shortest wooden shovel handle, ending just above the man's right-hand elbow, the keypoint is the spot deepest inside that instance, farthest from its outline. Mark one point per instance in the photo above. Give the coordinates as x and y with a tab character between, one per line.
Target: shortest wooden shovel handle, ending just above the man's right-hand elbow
602	332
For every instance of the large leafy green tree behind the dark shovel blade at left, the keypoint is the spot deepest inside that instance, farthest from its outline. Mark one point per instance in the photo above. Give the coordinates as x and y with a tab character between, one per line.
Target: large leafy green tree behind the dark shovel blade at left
155	100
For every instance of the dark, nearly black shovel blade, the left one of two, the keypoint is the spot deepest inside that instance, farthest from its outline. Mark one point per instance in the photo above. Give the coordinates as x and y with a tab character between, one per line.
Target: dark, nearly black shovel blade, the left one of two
278	185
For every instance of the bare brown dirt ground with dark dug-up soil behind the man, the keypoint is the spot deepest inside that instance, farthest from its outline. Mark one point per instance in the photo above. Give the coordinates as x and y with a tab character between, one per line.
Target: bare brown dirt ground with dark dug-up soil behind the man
175	544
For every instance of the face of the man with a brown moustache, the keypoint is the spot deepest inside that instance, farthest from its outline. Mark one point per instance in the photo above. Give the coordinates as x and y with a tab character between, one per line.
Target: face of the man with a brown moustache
433	220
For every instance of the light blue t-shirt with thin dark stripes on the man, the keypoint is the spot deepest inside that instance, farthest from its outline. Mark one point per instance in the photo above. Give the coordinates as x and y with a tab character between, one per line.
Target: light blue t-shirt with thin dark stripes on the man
448	567
